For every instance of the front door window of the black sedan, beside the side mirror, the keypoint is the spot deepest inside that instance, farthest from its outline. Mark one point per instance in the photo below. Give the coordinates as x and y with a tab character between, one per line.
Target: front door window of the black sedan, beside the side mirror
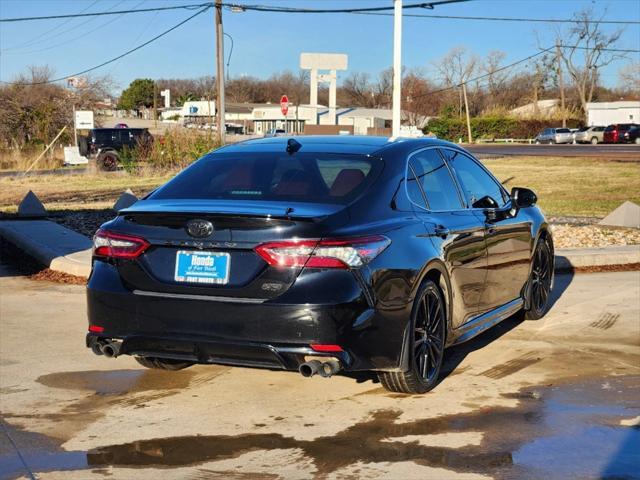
474	180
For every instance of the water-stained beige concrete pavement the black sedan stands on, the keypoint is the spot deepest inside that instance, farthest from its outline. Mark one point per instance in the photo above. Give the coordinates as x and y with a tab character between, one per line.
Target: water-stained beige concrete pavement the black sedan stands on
551	399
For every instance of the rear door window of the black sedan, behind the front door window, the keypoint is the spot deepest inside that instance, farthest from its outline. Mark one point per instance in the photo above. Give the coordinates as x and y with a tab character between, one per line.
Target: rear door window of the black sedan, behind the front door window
429	180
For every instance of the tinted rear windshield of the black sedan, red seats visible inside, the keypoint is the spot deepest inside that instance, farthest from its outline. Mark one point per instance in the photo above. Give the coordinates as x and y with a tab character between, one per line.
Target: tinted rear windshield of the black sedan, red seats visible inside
303	177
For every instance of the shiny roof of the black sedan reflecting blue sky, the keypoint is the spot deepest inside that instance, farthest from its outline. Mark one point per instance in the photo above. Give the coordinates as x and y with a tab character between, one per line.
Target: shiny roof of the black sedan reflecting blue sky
354	144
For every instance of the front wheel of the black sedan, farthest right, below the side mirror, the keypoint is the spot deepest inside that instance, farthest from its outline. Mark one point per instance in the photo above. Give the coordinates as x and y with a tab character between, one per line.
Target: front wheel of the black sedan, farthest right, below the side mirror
540	279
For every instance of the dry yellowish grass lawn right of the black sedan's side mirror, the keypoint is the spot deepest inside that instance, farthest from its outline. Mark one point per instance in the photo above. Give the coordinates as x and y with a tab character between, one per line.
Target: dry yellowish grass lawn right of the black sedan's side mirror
571	186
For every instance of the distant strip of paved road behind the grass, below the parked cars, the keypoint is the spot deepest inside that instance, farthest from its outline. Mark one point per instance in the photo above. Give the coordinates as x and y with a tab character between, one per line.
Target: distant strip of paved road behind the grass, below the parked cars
605	152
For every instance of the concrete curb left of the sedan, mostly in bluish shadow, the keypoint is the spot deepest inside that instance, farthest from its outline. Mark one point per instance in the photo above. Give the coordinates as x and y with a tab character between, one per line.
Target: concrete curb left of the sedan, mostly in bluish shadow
55	246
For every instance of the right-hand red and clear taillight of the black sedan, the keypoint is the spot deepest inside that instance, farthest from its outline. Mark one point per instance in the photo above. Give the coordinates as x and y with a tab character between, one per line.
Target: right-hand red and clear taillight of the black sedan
328	253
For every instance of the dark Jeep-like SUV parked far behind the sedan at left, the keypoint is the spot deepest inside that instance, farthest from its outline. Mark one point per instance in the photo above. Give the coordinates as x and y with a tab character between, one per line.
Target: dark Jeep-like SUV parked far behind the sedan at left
106	144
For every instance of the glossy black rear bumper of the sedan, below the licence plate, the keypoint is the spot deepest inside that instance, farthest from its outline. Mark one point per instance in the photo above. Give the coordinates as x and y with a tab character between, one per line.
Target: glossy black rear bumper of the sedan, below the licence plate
270	334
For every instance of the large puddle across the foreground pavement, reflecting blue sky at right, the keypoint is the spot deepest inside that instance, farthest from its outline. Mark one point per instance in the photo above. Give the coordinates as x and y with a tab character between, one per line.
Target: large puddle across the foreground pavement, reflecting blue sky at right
570	430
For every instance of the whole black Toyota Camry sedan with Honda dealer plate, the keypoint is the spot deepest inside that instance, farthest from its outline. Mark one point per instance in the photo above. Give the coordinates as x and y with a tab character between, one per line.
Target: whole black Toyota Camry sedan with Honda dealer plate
321	255
